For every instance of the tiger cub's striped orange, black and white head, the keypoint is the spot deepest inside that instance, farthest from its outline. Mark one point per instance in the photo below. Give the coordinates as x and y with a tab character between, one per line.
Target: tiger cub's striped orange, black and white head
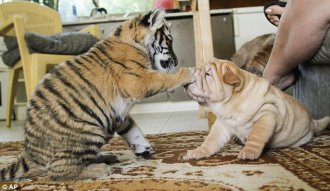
152	32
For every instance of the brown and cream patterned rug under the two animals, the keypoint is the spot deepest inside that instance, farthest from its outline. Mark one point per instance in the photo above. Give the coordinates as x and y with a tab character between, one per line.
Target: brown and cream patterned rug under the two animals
303	168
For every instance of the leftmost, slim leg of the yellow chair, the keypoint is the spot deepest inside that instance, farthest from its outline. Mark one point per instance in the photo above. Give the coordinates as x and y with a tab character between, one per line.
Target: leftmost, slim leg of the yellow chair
12	86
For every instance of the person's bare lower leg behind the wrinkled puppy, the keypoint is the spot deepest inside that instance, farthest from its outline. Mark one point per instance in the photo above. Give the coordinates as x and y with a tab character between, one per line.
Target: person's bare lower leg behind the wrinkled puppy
301	31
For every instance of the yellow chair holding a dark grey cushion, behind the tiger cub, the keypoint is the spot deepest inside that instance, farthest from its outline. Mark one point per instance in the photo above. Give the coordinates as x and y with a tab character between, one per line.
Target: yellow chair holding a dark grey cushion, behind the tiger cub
16	19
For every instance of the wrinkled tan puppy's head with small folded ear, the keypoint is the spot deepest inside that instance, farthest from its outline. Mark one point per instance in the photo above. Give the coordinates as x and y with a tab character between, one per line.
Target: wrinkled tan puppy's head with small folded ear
217	81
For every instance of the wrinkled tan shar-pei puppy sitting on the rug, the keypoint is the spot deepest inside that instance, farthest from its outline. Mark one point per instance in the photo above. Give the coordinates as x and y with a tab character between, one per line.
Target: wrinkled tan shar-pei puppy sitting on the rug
248	107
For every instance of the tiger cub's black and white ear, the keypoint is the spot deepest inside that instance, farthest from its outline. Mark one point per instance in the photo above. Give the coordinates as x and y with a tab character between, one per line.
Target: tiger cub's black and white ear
154	19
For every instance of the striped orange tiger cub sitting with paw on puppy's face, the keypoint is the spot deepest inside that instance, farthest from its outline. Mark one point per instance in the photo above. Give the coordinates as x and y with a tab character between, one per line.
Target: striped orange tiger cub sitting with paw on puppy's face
79	106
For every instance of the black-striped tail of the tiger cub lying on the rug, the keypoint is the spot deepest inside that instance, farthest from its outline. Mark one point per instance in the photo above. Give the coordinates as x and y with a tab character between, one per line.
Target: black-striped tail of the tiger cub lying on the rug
15	169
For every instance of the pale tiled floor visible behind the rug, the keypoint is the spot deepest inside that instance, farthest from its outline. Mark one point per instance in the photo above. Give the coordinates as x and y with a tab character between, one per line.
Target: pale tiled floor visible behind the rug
150	123
